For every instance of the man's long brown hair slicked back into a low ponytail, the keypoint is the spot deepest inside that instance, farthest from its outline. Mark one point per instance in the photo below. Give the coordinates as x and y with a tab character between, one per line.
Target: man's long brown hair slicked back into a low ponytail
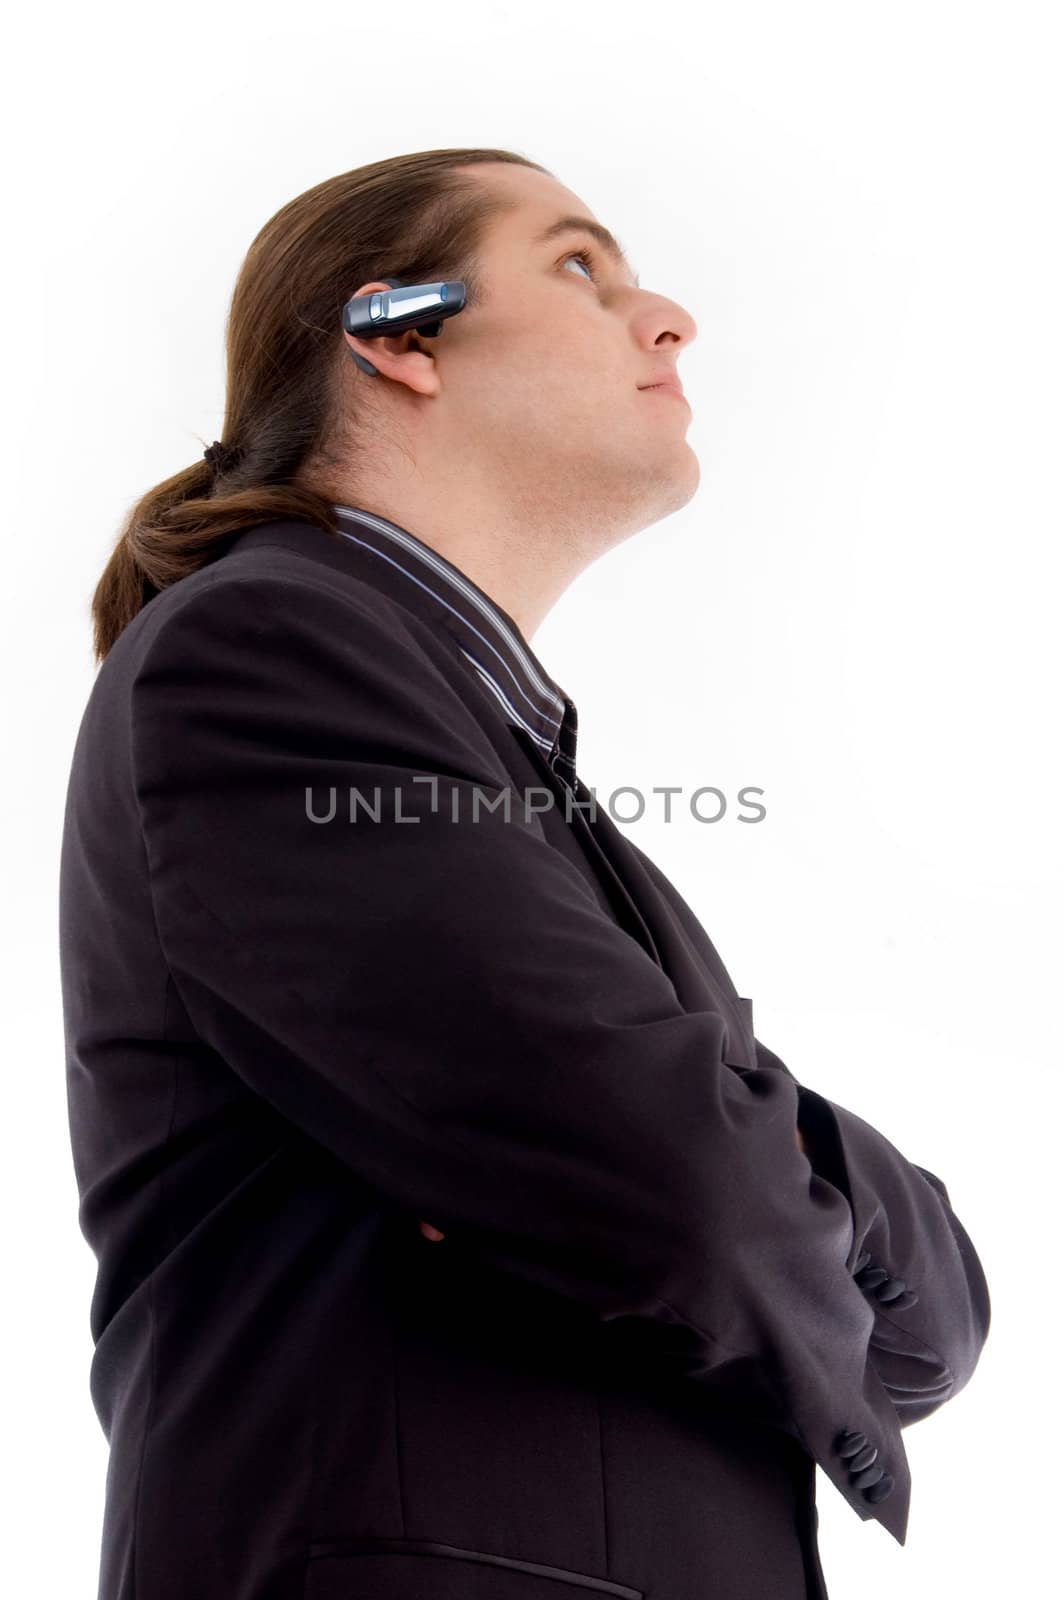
415	218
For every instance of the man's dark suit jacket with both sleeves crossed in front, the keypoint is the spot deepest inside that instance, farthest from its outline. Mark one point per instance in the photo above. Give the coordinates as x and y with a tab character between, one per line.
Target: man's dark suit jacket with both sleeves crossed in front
292	1039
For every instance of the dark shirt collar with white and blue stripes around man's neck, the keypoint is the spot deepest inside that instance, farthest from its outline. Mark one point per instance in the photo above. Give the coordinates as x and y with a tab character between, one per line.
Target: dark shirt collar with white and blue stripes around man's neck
487	636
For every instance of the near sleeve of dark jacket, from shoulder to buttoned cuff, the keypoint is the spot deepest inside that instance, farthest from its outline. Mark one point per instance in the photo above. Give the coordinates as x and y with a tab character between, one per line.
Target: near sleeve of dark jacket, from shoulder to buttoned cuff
444	1006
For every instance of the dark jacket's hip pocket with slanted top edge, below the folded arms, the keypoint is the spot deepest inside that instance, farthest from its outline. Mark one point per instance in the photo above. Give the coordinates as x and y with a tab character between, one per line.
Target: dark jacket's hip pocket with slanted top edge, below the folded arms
382	1569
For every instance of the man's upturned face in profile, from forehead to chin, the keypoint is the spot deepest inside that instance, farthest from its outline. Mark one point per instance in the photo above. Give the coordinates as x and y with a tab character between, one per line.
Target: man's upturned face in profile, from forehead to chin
542	383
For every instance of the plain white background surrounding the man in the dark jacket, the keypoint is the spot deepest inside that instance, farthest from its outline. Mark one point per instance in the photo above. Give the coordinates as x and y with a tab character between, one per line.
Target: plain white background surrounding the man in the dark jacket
858	612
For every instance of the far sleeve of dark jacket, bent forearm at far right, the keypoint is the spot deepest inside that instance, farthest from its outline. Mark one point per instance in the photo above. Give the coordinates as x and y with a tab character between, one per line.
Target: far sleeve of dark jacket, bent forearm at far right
911	1257
